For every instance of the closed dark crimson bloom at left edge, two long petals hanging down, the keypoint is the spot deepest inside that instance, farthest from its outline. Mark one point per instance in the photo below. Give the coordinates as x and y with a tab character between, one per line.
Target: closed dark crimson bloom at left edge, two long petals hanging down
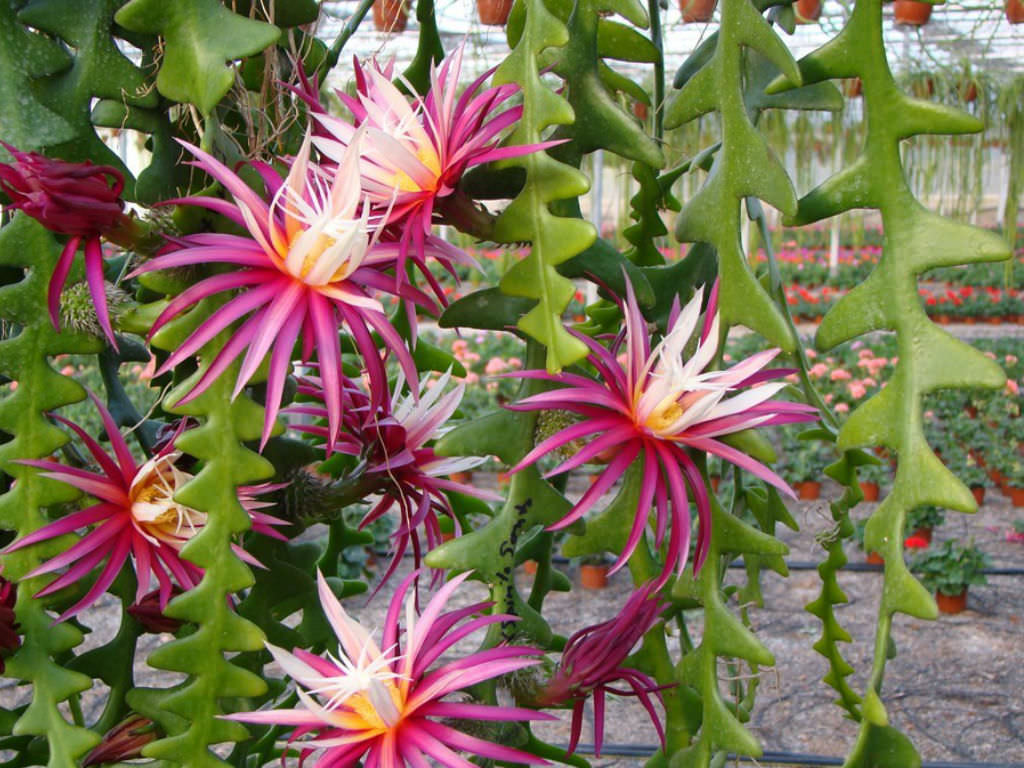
80	200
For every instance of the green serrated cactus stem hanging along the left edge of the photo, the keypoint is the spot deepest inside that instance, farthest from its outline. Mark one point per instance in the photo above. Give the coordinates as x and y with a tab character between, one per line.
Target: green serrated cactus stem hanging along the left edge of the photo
25	359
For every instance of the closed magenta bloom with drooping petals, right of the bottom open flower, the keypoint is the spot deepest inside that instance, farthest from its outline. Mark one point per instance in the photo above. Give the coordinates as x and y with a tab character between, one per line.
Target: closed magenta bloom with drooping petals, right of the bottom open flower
592	661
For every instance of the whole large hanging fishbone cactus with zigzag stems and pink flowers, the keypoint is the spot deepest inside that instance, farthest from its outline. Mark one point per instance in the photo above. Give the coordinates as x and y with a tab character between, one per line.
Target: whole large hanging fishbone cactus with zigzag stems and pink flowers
272	340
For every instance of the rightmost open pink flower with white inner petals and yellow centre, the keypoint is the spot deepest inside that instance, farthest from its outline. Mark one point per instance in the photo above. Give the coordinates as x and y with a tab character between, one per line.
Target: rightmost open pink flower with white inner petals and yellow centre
656	406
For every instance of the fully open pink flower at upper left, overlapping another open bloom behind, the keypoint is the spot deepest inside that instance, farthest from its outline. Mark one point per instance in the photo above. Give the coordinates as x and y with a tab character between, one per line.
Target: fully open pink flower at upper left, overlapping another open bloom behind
309	268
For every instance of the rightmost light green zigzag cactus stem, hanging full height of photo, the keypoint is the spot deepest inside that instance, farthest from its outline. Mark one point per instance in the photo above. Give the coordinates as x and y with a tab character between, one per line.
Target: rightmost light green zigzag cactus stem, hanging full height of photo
916	240
